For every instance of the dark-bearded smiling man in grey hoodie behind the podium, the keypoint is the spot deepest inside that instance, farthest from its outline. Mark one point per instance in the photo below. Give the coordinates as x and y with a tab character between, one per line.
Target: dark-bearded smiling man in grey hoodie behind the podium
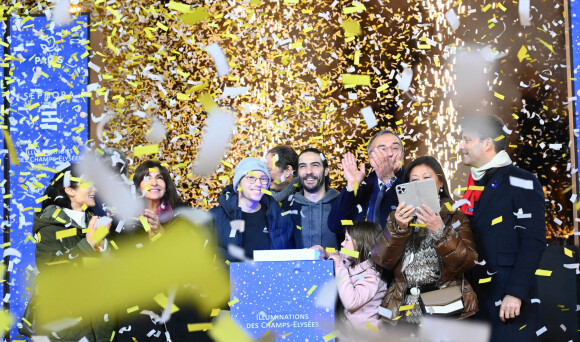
309	208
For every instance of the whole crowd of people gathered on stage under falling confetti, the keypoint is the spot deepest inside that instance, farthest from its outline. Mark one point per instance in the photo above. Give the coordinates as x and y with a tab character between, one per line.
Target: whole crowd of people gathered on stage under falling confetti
485	247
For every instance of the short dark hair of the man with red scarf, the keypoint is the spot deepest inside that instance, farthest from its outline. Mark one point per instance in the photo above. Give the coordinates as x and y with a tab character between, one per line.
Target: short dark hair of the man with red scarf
486	126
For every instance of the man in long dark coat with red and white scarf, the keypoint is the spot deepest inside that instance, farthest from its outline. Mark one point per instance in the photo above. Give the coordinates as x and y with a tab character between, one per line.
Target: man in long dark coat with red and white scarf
507	213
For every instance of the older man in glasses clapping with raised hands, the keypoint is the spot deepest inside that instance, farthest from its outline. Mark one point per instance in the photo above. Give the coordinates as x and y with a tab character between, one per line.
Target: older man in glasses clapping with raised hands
371	198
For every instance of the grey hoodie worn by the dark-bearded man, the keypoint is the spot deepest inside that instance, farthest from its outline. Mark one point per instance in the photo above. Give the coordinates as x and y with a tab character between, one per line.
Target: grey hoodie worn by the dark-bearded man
312	218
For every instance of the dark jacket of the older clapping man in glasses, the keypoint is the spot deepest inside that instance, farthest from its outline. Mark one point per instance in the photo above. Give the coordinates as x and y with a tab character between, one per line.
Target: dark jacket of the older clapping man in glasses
346	206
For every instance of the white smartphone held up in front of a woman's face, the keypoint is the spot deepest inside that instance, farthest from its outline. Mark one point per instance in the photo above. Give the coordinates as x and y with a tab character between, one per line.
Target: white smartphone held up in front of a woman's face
419	193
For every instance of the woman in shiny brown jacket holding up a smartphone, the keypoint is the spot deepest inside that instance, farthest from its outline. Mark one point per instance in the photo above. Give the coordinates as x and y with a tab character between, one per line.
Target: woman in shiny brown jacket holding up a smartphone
427	252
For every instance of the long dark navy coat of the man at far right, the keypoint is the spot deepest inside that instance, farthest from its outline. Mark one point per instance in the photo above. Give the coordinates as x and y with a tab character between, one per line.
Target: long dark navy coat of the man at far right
512	243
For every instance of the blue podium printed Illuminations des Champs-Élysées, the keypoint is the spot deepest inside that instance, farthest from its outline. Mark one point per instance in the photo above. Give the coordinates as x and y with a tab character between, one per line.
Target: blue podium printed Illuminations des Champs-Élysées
280	297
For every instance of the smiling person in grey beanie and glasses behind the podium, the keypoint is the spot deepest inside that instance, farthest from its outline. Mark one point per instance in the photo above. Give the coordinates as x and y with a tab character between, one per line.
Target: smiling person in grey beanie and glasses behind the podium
248	199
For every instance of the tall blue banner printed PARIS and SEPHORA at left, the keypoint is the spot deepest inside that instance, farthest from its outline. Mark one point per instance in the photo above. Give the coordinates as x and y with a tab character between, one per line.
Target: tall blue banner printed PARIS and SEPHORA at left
48	125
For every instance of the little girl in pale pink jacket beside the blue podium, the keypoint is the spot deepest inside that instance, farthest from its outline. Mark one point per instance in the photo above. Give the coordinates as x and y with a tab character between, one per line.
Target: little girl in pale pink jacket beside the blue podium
360	286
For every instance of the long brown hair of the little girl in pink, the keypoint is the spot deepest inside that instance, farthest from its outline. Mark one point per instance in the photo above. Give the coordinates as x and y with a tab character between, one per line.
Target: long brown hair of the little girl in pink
364	235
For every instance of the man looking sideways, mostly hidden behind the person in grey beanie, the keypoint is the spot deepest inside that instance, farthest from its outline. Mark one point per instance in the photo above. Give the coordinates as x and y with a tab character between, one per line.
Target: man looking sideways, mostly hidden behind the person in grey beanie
282	163
